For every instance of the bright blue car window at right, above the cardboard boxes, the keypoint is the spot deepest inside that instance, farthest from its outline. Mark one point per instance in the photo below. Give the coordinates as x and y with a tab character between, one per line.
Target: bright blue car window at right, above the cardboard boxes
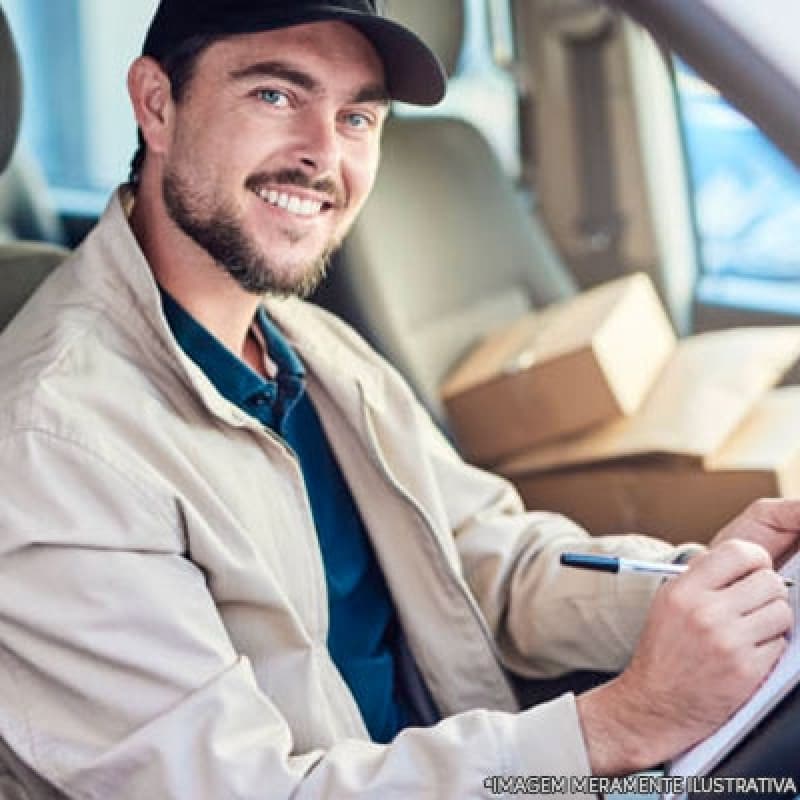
746	197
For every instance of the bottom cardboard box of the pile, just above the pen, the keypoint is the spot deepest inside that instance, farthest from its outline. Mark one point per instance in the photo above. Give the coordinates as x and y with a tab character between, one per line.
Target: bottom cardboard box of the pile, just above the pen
681	498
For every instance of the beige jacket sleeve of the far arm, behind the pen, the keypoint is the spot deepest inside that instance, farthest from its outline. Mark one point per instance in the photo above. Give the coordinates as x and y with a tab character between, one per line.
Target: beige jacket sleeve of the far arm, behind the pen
546	620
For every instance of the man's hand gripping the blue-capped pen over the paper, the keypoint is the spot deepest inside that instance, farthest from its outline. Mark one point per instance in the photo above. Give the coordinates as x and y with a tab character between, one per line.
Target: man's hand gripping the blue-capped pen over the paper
712	636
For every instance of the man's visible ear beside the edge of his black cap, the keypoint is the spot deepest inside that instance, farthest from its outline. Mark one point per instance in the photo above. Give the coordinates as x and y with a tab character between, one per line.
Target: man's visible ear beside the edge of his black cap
151	96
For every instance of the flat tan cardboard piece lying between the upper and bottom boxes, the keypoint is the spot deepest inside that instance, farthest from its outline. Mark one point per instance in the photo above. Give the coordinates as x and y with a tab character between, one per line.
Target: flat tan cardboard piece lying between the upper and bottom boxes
703	394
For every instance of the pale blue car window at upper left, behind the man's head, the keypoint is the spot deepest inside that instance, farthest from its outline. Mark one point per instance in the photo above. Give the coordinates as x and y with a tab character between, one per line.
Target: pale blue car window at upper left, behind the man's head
77	120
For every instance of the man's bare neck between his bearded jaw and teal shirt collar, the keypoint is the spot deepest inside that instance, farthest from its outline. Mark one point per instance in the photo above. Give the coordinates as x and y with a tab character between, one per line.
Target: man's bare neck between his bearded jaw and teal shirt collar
189	274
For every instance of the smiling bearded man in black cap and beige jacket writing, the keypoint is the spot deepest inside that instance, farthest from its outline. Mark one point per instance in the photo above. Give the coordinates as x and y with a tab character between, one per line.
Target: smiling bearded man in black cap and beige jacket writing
238	559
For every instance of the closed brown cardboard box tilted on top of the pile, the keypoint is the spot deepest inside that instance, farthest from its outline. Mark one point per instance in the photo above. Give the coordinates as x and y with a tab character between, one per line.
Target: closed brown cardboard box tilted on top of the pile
560	370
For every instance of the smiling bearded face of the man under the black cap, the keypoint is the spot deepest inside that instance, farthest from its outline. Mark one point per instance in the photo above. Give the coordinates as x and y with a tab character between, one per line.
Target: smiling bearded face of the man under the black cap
274	151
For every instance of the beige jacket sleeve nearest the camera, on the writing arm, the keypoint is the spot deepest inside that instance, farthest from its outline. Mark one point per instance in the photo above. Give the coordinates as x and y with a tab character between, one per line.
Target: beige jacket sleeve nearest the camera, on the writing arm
118	678
